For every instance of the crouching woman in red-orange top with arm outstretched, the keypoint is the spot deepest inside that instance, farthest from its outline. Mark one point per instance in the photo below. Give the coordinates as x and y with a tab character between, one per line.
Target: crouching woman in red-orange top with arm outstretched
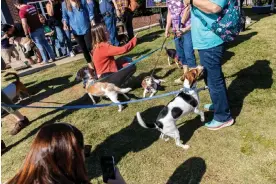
103	57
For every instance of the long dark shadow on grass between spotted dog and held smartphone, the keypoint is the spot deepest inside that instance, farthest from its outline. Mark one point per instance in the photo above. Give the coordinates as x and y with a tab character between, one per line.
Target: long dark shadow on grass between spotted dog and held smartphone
132	138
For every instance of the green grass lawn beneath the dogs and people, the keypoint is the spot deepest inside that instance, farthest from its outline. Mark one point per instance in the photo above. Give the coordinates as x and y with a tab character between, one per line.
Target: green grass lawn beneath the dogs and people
243	153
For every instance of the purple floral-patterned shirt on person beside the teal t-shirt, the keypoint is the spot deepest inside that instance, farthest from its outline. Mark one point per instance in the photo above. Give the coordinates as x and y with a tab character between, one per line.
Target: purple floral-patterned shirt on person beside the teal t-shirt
176	8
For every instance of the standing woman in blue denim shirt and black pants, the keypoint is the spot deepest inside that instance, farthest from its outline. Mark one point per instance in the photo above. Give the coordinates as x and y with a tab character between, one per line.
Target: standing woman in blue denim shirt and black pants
79	15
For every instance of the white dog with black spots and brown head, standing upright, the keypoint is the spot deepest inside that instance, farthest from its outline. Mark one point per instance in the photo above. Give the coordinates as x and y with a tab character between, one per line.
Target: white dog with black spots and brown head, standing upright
185	102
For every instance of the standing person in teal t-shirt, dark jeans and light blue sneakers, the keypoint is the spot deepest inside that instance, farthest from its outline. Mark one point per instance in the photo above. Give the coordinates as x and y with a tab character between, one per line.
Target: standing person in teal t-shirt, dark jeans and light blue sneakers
211	50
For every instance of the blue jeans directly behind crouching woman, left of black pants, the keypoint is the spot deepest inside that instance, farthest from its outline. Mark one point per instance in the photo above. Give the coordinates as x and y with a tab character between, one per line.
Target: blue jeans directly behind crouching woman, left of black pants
110	22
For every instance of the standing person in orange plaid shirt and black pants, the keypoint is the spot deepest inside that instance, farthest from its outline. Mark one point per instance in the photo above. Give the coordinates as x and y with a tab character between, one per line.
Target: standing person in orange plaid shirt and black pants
125	14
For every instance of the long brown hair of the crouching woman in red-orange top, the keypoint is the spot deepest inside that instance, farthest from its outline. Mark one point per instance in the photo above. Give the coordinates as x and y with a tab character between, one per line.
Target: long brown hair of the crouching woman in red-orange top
98	34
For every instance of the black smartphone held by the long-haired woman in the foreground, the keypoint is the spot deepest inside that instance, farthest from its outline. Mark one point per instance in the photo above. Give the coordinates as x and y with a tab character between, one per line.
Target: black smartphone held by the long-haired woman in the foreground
108	168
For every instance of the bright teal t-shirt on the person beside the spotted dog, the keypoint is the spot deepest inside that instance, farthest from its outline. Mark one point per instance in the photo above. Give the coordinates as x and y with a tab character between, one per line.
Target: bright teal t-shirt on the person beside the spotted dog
202	37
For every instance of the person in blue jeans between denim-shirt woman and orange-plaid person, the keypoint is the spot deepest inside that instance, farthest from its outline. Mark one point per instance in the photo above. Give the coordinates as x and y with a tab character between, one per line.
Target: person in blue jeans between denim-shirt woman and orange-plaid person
108	12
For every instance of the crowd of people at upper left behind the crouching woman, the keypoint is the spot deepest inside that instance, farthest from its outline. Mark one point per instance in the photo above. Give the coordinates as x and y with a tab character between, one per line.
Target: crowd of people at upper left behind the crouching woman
52	35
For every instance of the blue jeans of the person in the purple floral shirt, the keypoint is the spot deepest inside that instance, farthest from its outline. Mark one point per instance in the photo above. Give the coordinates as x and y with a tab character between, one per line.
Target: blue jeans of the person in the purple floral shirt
185	51
